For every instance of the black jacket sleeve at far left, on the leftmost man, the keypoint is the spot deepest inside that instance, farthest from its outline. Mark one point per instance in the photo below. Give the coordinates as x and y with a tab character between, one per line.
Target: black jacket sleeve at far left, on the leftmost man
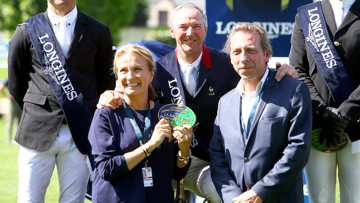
19	64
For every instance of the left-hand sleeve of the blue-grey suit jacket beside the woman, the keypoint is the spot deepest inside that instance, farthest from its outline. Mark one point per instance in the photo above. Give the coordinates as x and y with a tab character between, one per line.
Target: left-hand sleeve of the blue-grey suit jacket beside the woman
224	181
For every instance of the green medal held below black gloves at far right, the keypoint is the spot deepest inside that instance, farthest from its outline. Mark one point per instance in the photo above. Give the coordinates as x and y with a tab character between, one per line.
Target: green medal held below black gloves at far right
315	144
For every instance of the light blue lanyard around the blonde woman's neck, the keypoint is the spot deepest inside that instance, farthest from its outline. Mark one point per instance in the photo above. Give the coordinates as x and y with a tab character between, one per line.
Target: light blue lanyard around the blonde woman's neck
142	138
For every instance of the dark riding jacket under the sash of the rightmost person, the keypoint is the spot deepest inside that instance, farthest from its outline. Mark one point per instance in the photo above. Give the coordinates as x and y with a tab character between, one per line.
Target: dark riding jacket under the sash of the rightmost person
348	37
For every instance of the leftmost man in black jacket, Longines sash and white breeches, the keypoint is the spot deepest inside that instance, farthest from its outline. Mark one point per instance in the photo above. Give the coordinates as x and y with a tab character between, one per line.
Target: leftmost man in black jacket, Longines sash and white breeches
59	63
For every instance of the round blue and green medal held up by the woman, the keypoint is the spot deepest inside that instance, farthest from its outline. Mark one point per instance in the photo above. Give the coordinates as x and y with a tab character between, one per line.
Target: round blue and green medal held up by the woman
177	115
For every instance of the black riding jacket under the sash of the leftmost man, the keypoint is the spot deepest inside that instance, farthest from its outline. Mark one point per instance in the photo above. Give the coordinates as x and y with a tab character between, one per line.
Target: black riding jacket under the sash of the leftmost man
90	59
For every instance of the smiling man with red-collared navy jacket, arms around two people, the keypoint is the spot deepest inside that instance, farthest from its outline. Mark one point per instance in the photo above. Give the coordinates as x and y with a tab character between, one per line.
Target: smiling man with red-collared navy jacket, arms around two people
213	76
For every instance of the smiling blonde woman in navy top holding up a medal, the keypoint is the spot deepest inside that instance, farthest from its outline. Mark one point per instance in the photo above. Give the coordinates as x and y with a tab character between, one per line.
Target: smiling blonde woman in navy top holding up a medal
135	156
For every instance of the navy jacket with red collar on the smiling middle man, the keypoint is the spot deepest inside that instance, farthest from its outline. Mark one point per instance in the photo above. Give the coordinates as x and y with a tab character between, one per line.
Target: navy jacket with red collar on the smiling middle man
216	77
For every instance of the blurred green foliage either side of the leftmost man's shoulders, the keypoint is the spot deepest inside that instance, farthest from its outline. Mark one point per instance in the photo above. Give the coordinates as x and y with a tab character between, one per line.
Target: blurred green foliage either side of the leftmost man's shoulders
116	14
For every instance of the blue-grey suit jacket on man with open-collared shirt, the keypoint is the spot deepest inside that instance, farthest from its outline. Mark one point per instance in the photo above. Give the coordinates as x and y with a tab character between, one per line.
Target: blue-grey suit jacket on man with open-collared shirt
278	146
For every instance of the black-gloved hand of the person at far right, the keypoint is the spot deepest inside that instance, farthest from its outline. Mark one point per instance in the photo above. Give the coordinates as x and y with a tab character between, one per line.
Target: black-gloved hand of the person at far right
334	125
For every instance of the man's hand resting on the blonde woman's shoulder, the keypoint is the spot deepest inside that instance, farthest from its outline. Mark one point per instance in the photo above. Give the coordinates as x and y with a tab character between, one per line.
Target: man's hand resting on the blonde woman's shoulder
110	99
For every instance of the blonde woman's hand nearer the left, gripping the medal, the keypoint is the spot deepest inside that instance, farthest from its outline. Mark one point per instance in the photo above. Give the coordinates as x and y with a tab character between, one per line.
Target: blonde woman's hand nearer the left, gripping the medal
161	131
